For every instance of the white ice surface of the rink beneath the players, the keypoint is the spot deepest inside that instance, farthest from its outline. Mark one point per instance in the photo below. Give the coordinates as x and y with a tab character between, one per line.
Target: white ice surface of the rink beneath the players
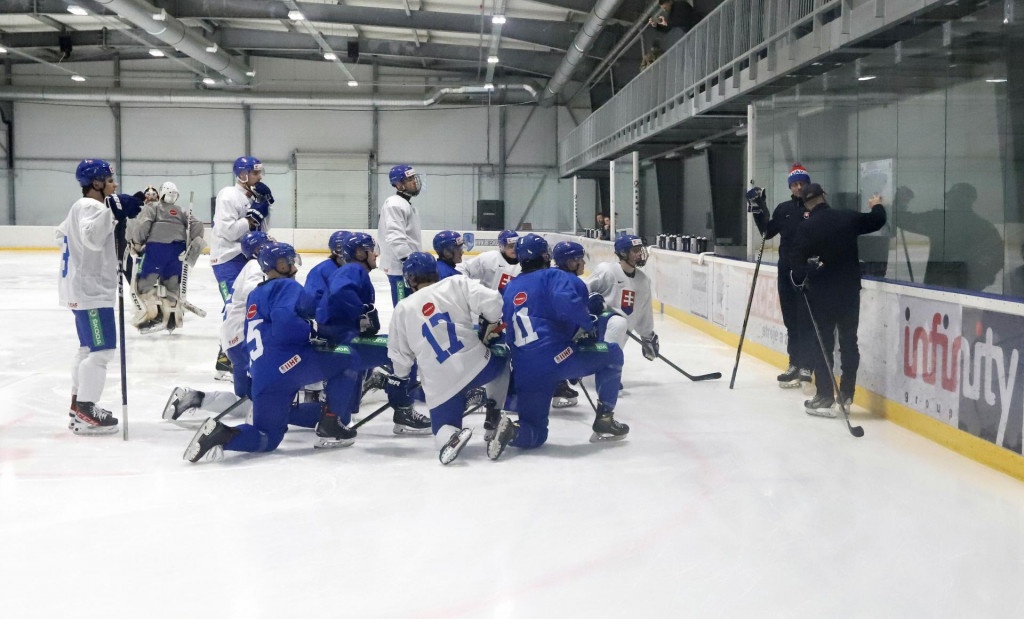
719	505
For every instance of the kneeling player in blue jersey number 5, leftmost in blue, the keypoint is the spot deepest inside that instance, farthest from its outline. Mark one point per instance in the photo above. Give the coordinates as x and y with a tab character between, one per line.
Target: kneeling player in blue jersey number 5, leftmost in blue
283	360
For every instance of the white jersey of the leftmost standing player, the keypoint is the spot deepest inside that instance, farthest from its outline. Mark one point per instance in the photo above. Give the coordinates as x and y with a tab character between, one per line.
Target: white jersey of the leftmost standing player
89	275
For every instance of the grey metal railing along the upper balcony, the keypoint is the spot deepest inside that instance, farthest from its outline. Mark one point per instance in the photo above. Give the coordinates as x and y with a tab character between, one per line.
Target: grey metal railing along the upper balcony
704	68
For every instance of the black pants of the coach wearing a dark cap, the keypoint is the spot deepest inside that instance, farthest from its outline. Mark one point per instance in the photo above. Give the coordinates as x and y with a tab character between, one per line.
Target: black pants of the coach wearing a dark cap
835	314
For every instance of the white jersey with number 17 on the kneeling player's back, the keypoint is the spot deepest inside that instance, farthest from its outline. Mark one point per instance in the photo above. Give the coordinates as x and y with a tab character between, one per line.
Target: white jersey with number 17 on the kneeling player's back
434	328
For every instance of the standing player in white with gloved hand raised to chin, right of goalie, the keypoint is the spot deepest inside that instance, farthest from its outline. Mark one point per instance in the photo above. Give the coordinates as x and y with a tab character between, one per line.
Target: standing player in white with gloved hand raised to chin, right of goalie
241	208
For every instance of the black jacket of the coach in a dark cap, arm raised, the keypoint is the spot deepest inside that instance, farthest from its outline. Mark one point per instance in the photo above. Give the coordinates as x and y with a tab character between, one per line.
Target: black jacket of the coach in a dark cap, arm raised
832	235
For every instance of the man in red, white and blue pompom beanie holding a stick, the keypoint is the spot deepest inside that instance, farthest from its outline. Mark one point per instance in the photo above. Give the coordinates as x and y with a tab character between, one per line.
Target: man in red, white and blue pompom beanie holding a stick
785	222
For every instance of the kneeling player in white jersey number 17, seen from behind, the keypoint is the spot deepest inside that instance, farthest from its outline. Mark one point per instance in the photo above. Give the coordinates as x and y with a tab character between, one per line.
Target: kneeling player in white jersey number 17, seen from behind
435	329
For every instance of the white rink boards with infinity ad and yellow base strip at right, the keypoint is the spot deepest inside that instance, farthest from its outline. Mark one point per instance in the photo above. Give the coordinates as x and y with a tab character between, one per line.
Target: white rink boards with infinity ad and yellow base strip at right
944	364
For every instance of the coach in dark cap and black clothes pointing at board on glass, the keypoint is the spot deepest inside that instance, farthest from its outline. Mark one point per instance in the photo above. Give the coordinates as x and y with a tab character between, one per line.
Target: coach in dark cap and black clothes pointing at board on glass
827	270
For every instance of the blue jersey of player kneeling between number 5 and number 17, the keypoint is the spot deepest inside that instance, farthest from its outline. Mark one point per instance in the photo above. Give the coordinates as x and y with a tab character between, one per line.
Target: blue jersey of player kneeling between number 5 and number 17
338	313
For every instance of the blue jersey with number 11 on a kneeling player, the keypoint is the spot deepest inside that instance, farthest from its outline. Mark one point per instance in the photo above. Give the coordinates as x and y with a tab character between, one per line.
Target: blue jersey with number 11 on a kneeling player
544	310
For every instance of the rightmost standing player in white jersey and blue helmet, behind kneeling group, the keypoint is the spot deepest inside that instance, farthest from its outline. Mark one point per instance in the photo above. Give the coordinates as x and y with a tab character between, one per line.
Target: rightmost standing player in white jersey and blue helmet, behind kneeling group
399	230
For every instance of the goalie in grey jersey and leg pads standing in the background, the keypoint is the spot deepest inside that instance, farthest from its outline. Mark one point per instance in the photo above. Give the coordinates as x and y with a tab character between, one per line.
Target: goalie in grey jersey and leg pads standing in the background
167	238
